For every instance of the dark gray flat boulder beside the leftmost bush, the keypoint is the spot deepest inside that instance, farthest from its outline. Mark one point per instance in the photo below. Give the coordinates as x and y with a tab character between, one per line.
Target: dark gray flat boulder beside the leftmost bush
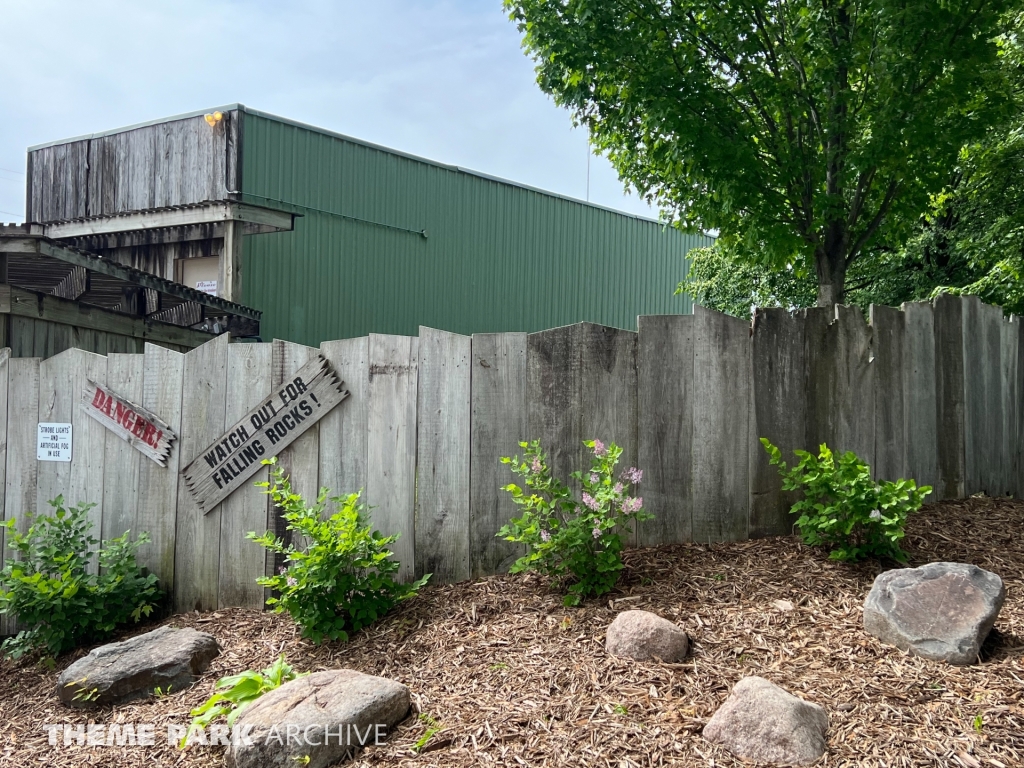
166	658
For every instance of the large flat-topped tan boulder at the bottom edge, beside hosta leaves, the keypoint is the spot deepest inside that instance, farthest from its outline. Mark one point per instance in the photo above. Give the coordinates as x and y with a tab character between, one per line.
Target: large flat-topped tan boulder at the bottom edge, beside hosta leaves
324	717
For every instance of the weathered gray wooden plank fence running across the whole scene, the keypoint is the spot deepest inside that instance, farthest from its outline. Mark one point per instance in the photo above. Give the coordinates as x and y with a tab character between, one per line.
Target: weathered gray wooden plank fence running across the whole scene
931	392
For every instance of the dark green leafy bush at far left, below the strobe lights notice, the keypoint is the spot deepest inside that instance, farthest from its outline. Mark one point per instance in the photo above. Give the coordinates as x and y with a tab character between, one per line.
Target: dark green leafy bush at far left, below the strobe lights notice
49	586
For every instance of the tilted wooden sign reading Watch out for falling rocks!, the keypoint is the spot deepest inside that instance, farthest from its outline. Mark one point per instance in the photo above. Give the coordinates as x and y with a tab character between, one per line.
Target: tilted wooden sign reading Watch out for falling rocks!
265	432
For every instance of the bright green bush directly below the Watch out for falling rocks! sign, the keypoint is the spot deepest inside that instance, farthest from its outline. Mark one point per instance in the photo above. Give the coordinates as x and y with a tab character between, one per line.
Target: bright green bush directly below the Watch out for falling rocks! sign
342	582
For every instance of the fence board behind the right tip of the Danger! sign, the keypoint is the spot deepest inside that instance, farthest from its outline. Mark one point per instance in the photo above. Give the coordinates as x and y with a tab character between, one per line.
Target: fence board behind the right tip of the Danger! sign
158	503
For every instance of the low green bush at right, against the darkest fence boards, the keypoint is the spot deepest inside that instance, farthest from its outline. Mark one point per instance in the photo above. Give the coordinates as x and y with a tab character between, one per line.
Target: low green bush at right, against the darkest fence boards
843	508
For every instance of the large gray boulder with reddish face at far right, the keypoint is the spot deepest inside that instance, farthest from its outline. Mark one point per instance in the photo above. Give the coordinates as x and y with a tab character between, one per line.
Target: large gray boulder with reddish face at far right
943	611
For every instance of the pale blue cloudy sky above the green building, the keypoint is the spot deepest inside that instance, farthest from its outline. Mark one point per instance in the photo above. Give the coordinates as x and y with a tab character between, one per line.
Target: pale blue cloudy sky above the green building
444	80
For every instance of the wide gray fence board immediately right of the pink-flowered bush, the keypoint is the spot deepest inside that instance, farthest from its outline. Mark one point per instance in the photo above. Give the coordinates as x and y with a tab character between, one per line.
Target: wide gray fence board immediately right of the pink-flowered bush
665	383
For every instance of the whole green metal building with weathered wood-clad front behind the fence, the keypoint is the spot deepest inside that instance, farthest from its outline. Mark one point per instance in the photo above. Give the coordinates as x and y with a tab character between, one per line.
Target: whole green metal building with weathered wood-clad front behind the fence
382	242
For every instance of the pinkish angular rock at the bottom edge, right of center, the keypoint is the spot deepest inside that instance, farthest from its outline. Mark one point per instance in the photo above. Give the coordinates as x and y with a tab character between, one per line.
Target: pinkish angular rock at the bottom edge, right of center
762	723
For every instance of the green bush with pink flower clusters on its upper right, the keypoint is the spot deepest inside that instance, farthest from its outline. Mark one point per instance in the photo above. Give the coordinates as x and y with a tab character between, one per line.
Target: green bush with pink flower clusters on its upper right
578	542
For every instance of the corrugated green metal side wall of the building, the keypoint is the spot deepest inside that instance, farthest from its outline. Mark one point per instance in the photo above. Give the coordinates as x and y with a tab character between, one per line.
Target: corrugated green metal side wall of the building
498	258
